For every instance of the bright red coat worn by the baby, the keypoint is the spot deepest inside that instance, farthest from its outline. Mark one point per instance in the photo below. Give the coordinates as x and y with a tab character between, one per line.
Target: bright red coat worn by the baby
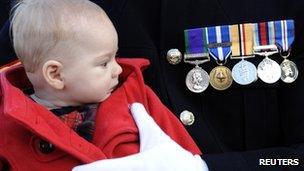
23	124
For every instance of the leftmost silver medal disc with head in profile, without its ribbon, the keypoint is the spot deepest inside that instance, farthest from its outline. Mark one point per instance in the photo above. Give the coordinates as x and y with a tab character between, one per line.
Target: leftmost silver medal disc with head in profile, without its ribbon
197	80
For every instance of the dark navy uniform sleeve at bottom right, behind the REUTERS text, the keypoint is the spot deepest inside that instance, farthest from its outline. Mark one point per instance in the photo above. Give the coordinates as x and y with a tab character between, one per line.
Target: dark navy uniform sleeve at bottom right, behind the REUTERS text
253	160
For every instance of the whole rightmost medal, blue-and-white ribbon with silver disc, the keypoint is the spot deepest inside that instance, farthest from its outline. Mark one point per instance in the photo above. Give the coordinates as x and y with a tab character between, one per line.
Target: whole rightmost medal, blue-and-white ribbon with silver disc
284	38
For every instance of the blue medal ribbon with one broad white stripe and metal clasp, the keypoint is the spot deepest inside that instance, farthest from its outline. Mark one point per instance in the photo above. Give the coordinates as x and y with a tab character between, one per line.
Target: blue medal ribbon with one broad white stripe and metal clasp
218	42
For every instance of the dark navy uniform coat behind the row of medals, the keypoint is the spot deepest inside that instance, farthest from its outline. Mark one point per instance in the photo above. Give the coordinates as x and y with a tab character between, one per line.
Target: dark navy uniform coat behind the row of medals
236	127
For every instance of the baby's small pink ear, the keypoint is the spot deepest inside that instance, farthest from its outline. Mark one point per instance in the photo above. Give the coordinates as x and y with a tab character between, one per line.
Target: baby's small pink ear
52	74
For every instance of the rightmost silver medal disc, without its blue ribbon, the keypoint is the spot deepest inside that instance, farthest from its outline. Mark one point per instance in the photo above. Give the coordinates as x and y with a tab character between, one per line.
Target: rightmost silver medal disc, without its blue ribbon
289	71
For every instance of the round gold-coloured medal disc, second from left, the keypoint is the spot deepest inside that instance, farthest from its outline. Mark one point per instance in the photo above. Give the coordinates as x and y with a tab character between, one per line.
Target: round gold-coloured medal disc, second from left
220	78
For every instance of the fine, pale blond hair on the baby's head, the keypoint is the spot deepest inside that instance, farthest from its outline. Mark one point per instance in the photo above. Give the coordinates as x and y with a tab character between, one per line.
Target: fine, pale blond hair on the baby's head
43	29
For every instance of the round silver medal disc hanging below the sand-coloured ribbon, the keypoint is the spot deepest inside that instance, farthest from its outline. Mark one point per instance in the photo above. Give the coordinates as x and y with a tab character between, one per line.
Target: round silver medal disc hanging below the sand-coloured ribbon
244	72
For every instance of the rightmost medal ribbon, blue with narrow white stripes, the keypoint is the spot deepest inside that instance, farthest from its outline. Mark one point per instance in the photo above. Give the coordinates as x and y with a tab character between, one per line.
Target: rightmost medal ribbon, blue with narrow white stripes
284	34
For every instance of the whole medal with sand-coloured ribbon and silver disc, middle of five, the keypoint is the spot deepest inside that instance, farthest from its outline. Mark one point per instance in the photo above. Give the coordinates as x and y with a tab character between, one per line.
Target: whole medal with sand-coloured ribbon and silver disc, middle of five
244	72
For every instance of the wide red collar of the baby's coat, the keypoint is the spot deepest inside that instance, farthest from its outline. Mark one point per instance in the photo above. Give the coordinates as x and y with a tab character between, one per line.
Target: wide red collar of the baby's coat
41	121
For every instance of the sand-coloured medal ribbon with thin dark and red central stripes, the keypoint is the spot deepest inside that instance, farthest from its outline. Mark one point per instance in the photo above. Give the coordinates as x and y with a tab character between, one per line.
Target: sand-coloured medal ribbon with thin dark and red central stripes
242	40
